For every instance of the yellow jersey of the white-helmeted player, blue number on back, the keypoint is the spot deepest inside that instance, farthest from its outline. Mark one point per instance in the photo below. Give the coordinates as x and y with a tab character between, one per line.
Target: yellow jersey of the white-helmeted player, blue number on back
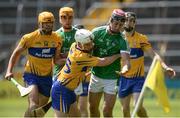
75	68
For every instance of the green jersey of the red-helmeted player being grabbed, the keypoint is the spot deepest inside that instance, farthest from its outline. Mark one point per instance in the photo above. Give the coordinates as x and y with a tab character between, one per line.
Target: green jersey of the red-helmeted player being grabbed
107	44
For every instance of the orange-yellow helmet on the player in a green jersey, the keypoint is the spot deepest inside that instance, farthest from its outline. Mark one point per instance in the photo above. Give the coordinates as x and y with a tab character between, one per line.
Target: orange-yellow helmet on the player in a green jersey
66	11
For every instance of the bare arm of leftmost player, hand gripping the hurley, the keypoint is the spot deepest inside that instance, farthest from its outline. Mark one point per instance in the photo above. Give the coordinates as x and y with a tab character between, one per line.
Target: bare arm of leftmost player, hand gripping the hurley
13	60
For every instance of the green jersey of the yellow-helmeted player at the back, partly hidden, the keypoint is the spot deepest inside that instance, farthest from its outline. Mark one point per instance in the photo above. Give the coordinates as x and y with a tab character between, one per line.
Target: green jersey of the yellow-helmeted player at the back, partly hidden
68	39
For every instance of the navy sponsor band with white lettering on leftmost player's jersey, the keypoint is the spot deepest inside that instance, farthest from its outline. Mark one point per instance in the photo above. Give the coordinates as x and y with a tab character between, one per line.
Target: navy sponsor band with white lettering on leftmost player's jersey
42	52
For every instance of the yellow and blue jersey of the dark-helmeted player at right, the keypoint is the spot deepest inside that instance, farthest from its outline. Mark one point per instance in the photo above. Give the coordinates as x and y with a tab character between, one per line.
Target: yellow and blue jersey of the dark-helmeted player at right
138	43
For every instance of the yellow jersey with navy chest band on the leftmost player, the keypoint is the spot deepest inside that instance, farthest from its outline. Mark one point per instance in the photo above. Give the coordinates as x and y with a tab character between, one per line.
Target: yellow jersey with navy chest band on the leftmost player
40	52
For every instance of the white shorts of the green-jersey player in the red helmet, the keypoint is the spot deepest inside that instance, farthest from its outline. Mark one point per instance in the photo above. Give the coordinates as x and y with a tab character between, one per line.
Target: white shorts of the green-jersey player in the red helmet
102	85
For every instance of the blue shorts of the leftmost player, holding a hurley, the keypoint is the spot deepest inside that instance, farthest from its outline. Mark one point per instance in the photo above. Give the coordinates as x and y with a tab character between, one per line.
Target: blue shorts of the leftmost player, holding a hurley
44	83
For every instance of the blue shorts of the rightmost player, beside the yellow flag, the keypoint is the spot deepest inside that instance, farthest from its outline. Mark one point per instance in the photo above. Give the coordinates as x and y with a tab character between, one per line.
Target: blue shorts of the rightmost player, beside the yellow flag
130	85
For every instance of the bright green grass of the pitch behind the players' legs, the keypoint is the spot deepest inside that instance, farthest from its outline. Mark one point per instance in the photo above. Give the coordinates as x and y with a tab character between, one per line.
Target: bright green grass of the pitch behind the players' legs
15	107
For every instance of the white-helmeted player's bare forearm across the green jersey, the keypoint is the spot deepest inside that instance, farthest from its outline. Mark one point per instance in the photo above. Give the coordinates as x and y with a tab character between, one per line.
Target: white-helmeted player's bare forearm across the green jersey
107	60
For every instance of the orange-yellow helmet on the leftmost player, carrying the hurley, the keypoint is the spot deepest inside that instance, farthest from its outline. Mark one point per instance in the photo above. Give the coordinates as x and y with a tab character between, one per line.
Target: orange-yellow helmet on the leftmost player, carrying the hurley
46	17
